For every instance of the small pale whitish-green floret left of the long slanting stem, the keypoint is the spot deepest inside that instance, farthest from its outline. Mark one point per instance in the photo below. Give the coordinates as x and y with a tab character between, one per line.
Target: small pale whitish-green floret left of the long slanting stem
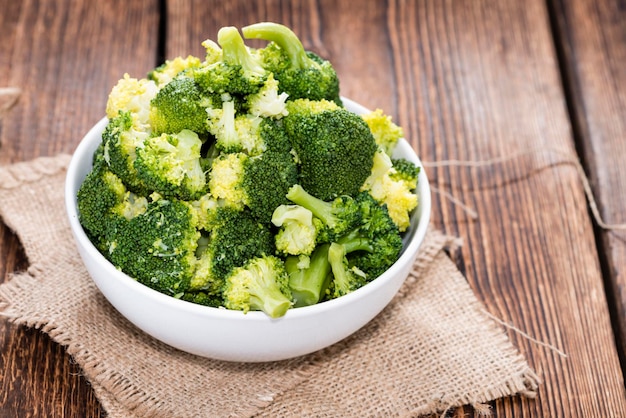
297	234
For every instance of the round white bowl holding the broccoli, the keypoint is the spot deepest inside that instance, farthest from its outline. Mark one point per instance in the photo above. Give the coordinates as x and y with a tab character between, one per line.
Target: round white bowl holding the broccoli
232	335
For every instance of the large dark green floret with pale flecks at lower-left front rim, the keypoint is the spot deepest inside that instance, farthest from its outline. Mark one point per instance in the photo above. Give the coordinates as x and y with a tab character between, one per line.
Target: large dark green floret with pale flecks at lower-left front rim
157	247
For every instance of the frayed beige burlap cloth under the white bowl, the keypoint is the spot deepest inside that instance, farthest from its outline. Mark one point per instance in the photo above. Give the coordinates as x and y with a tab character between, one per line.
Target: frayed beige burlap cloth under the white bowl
433	348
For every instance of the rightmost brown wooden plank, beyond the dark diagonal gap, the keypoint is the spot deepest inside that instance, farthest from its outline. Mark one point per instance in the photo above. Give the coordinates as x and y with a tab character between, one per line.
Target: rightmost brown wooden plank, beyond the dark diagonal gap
591	36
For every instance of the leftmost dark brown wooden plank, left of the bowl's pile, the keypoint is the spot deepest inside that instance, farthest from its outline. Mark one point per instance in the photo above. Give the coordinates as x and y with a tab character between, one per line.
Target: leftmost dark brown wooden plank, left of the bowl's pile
65	57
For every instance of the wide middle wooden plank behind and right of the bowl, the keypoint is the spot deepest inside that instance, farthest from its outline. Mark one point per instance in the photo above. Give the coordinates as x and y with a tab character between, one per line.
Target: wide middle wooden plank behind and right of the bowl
478	81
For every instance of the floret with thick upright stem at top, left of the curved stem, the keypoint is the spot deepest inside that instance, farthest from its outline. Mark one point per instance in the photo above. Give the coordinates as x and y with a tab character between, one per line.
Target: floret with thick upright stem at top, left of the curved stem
239	72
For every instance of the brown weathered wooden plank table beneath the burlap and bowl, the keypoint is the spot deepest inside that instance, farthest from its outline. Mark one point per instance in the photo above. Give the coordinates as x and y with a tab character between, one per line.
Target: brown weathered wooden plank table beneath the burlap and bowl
533	86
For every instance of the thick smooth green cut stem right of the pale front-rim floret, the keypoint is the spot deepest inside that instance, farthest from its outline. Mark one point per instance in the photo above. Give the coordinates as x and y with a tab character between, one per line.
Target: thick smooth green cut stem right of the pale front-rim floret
309	277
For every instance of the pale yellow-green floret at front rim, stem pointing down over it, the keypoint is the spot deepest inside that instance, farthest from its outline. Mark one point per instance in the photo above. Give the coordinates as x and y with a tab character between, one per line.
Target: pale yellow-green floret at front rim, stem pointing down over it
262	284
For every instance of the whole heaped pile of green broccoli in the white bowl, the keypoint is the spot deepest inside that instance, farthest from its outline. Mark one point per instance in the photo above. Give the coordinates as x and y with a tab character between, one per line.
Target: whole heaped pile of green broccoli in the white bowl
240	181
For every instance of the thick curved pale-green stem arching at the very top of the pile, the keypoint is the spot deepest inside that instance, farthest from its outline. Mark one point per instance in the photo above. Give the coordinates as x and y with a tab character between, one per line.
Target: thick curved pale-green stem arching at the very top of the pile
285	38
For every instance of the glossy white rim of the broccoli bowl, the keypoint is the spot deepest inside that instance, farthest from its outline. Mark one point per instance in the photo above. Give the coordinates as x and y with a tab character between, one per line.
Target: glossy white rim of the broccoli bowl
73	180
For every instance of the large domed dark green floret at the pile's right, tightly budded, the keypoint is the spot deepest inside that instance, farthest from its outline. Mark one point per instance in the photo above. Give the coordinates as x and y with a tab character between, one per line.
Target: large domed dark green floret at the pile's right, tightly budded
334	146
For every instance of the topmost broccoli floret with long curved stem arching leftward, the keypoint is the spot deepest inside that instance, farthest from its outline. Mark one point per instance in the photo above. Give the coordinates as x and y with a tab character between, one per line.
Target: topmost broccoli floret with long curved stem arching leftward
300	73
